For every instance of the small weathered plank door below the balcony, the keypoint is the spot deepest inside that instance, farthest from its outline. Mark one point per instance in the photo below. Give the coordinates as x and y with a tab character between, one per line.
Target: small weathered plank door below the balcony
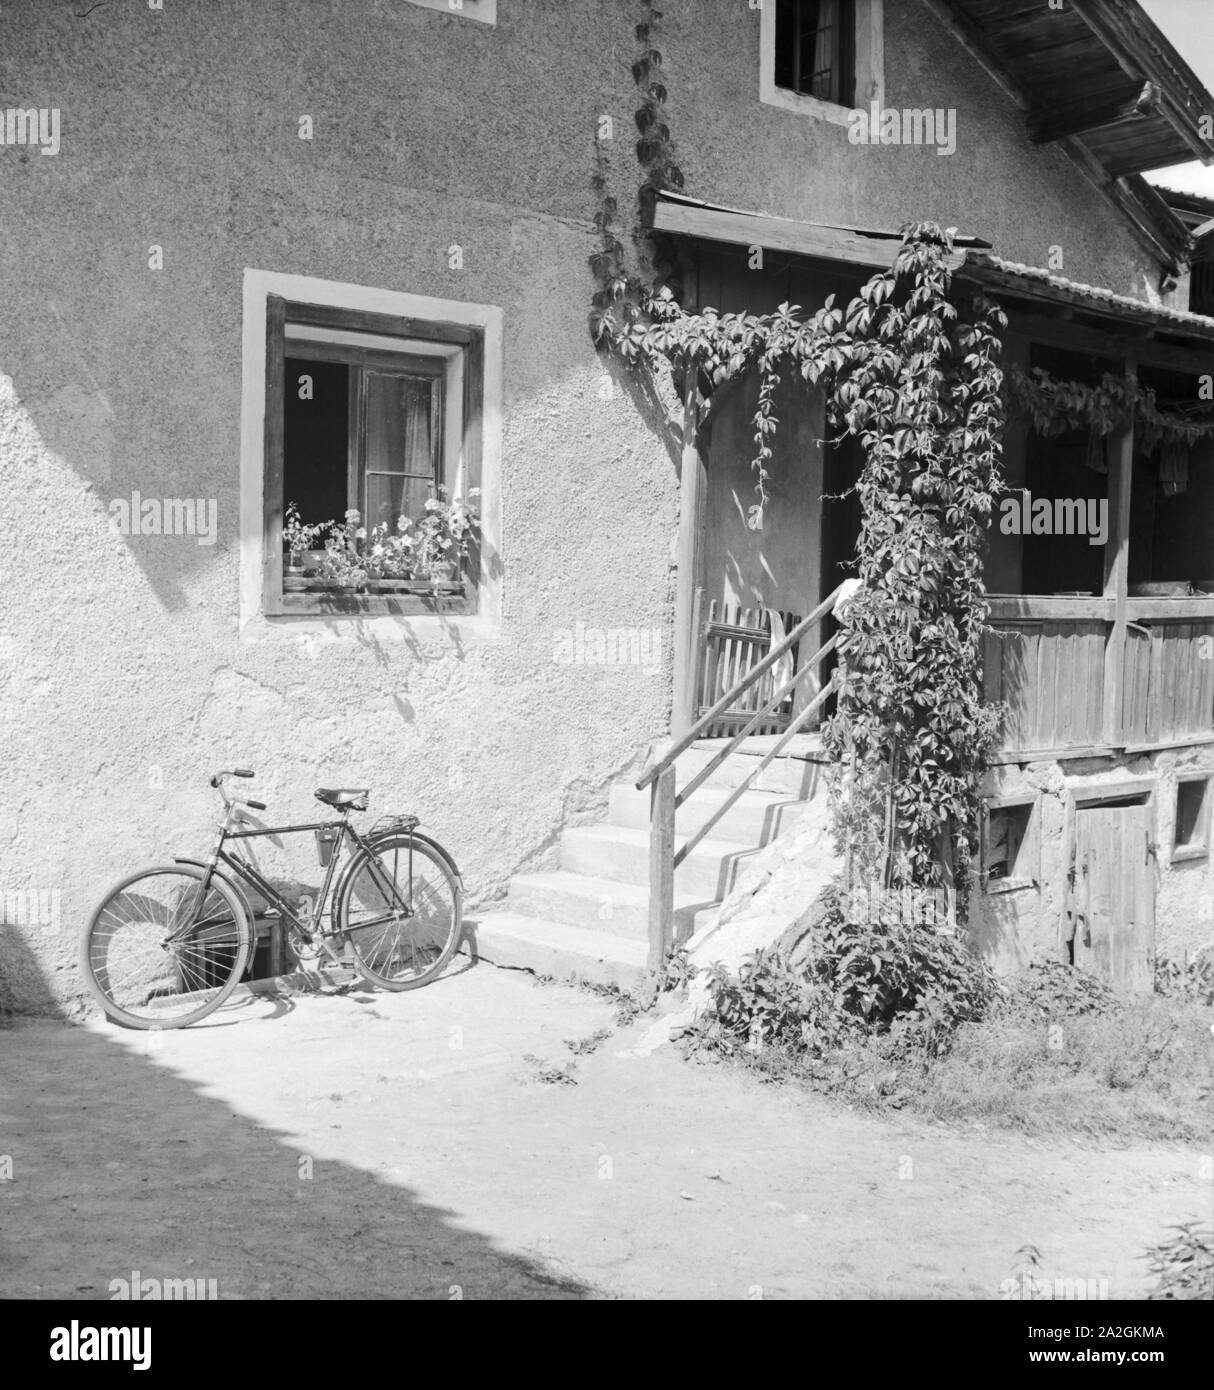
1112	896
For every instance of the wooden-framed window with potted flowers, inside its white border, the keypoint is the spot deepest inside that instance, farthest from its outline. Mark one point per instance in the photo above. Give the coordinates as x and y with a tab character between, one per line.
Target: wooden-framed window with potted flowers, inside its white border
372	462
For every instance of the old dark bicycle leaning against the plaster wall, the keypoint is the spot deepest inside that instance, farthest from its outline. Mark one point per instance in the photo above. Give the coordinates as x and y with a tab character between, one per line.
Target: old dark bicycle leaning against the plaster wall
169	945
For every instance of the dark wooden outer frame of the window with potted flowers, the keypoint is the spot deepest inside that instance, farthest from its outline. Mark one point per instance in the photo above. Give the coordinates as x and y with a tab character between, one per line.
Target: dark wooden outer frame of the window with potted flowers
471	345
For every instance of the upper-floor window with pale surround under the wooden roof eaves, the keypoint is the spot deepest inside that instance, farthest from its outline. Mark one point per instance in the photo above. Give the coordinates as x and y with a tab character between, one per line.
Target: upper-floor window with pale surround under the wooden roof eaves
823	58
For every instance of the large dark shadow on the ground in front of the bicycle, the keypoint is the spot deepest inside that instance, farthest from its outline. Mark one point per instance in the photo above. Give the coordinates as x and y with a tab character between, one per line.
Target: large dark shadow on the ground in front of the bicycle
198	1192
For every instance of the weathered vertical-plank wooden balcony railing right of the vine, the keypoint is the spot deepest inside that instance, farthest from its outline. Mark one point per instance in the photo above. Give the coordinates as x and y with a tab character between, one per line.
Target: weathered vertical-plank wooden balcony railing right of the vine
1070	689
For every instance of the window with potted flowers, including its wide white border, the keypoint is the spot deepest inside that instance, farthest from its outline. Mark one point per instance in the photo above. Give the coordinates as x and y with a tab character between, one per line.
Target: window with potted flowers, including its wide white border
379	402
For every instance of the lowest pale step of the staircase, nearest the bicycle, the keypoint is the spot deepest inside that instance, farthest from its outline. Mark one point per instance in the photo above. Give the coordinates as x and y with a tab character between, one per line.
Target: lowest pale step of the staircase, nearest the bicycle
510	939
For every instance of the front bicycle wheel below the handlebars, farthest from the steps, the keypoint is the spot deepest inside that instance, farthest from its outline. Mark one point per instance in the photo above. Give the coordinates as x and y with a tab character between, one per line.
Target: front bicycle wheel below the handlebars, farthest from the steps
162	951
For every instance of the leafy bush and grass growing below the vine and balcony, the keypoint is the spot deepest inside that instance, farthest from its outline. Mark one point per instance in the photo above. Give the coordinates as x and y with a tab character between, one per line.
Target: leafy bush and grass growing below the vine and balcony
905	1017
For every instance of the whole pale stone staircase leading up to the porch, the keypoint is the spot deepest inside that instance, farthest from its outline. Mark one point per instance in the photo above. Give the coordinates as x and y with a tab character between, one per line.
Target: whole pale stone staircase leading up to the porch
589	918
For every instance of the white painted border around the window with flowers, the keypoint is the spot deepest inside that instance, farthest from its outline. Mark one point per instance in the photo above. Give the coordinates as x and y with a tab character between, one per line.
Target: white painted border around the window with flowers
259	284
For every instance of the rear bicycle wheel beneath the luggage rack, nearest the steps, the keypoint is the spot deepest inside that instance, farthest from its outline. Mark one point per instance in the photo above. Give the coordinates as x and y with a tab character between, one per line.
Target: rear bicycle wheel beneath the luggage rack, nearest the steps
401	910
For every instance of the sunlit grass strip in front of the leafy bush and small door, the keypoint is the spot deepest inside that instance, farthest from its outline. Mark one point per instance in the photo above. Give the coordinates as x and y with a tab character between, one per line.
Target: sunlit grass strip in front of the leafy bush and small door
1056	1054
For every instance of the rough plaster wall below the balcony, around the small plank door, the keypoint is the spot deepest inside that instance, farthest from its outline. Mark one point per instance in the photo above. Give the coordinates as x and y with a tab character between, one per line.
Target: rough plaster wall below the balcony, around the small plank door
1020	926
